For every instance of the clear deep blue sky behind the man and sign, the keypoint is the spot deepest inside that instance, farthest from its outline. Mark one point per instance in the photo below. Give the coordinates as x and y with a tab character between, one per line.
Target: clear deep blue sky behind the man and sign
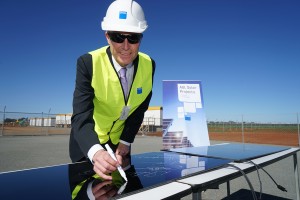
245	52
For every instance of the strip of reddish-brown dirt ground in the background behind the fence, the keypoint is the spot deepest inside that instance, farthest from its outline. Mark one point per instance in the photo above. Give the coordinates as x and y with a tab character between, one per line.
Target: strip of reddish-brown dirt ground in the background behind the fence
259	136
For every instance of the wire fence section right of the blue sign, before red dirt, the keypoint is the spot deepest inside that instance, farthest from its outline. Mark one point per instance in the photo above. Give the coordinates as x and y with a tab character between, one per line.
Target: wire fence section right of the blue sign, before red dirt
280	129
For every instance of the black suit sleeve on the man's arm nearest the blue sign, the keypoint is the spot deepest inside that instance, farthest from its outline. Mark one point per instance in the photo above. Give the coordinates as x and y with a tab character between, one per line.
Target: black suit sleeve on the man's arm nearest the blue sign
135	120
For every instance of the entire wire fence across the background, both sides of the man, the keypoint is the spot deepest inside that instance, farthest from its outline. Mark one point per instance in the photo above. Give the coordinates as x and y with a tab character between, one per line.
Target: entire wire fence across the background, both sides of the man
281	129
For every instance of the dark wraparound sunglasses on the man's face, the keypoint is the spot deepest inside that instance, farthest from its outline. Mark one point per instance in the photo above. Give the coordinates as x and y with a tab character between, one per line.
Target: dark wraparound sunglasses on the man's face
119	37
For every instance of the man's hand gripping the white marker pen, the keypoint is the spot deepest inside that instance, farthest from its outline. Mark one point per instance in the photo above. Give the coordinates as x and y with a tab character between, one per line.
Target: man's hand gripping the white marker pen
104	164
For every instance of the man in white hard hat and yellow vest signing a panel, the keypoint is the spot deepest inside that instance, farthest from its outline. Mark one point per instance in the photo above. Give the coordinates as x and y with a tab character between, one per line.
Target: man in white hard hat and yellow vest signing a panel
104	112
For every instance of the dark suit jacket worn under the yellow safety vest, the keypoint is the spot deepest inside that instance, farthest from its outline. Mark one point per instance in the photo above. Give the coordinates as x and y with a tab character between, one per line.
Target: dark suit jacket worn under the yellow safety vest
83	135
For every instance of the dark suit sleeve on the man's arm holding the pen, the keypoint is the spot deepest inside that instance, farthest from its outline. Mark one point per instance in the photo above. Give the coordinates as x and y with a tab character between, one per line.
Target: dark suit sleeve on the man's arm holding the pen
83	107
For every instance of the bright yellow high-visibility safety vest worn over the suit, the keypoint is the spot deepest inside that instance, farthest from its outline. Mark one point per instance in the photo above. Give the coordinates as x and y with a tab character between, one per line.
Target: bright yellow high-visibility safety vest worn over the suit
109	99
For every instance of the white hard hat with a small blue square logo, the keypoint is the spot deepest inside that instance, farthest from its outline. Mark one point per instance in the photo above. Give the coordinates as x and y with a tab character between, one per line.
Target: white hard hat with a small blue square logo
124	16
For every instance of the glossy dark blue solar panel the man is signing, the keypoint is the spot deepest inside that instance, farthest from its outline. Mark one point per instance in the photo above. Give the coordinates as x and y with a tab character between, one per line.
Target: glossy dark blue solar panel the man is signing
74	180
